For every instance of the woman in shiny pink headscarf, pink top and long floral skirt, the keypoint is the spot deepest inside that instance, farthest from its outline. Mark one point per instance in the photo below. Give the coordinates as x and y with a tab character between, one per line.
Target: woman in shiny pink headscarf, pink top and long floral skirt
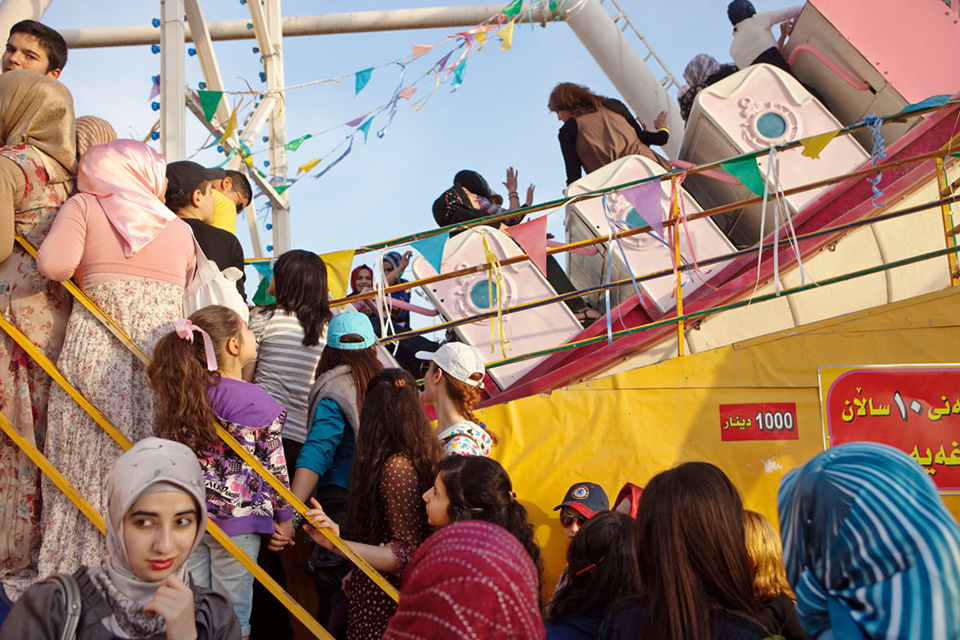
134	257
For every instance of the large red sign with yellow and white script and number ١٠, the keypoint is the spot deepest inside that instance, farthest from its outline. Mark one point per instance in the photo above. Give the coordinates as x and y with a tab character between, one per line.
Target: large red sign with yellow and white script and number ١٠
915	409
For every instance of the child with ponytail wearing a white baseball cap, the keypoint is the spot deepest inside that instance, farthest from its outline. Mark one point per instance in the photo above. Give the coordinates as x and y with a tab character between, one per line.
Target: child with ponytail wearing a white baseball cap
452	385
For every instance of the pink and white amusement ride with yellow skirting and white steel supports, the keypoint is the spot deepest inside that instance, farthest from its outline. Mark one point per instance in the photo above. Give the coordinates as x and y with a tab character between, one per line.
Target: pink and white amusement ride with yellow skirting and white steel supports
733	287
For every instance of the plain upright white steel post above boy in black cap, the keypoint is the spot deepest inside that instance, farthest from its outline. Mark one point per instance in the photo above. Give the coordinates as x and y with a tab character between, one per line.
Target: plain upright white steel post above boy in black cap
173	143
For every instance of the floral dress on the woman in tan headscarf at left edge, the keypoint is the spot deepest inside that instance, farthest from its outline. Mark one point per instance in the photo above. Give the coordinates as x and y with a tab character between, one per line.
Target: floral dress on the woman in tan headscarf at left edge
39	308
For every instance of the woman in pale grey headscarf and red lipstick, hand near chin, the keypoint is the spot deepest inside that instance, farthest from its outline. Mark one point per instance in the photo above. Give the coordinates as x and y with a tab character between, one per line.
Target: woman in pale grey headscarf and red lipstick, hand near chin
156	515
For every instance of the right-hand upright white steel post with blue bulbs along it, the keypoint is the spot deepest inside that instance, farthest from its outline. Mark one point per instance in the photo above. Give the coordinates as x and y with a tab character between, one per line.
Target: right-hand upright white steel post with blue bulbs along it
273	63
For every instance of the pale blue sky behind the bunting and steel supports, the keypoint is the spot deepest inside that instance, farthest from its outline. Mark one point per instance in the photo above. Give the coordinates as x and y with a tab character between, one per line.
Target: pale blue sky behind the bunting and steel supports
384	189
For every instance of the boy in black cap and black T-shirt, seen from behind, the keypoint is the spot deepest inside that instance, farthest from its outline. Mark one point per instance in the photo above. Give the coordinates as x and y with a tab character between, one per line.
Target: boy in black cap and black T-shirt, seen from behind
190	196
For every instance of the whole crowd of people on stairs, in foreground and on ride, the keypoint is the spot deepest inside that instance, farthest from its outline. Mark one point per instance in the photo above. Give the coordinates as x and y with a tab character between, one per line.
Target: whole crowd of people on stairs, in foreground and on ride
866	547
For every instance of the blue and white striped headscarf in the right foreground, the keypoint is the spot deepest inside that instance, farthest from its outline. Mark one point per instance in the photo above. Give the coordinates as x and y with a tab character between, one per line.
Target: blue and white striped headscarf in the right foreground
869	548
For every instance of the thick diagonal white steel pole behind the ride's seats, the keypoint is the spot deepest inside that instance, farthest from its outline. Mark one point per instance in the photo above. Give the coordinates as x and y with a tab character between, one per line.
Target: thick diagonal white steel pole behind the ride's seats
625	68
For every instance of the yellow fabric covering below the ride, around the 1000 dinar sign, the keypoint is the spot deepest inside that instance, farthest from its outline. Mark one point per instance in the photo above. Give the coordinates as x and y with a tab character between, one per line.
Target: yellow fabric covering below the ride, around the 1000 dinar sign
630	426
